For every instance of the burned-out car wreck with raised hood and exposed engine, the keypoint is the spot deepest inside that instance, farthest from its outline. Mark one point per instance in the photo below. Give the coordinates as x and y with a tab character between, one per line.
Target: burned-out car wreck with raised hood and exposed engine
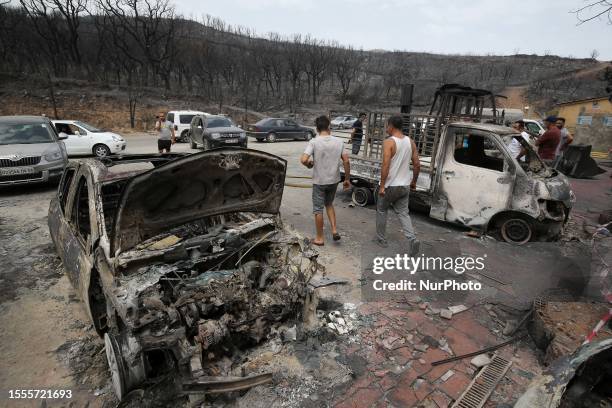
181	260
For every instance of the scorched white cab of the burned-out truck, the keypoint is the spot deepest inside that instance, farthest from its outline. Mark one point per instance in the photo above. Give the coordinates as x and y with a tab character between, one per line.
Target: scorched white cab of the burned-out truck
478	183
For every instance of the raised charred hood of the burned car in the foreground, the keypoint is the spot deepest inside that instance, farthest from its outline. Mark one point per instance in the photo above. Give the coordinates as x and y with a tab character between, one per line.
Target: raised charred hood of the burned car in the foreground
199	185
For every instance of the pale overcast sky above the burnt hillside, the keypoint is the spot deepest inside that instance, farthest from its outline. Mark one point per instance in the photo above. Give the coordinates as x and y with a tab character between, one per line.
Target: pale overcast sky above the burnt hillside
438	26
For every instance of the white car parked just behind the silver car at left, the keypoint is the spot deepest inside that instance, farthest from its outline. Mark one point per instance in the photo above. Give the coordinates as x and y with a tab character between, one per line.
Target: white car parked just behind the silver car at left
83	139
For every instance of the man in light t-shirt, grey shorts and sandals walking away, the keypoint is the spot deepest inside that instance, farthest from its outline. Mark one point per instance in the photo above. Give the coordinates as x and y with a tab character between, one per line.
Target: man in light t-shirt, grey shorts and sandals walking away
324	153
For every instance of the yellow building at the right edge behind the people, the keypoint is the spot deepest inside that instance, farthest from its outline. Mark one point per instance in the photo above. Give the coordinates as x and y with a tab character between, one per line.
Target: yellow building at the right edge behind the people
585	112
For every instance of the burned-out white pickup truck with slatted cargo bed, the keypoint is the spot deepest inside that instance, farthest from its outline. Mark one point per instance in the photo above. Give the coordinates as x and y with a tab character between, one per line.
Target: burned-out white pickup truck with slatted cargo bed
469	175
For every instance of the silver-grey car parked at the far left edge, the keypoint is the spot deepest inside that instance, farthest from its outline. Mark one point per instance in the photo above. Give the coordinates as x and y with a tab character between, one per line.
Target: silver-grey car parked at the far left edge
30	150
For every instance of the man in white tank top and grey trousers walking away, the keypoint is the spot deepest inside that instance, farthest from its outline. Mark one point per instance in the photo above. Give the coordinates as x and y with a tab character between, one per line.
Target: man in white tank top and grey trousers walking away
396	182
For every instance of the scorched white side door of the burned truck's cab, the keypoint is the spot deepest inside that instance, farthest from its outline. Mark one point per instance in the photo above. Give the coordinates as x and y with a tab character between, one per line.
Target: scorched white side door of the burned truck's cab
475	178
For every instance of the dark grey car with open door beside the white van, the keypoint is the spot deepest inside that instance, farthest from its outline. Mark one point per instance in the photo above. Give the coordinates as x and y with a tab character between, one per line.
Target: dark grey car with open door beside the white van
210	131
